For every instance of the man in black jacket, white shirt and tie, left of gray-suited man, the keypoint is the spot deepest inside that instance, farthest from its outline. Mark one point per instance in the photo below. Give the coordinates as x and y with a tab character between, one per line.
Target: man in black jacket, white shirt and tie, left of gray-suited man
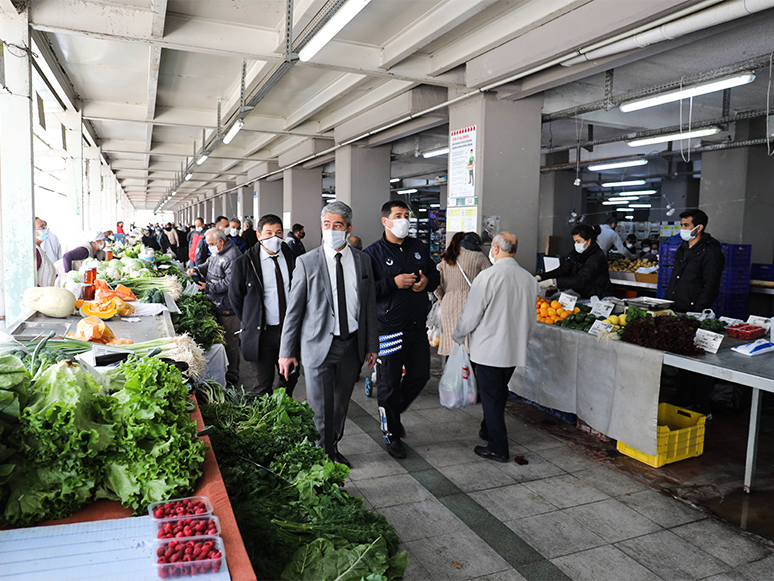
259	291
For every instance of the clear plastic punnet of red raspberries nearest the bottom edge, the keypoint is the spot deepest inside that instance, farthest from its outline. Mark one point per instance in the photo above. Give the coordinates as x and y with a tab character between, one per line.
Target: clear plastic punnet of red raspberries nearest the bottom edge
201	556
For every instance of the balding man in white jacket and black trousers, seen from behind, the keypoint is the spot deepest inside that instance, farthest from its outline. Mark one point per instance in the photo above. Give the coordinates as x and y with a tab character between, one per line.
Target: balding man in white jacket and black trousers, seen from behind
499	316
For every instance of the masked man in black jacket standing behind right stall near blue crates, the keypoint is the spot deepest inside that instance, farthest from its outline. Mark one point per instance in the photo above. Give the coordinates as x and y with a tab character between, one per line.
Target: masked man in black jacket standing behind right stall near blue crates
699	263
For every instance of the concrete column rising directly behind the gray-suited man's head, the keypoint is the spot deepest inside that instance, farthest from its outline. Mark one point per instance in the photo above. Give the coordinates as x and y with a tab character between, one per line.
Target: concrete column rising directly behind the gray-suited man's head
363	182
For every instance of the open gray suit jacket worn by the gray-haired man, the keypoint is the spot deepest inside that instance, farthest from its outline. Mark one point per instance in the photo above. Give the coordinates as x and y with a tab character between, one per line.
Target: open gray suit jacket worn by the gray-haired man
310	318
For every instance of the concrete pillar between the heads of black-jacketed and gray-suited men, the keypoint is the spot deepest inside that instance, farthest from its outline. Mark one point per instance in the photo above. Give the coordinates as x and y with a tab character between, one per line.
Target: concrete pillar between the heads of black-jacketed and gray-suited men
302	202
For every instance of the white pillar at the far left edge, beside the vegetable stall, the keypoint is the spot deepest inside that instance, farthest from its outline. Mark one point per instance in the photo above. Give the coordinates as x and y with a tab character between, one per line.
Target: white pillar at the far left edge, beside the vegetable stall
17	202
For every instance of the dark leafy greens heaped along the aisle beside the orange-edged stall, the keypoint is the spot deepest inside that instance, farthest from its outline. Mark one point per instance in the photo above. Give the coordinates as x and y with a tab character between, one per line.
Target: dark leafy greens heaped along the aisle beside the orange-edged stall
294	518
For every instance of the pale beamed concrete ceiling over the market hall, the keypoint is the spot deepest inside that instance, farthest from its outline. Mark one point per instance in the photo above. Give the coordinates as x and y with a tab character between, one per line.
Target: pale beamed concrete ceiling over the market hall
148	75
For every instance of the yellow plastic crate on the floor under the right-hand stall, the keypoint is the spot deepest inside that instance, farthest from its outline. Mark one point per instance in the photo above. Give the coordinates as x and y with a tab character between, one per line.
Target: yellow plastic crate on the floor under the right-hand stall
680	436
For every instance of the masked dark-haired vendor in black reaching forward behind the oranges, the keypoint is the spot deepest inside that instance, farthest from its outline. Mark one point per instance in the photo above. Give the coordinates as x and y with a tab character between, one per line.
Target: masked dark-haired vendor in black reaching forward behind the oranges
585	270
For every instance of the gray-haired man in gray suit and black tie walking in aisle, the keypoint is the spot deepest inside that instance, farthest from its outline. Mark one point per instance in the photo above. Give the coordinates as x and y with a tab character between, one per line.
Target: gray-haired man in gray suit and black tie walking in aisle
331	324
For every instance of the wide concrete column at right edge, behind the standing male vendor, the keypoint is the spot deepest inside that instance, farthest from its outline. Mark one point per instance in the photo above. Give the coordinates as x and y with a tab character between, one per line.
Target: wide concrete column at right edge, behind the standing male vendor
735	192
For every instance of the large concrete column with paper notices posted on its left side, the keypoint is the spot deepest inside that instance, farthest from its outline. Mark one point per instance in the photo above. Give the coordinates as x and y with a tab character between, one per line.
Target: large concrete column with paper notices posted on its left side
507	175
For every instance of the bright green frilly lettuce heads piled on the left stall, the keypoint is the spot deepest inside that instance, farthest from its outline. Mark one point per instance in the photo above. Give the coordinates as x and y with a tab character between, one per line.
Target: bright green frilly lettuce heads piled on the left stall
75	444
